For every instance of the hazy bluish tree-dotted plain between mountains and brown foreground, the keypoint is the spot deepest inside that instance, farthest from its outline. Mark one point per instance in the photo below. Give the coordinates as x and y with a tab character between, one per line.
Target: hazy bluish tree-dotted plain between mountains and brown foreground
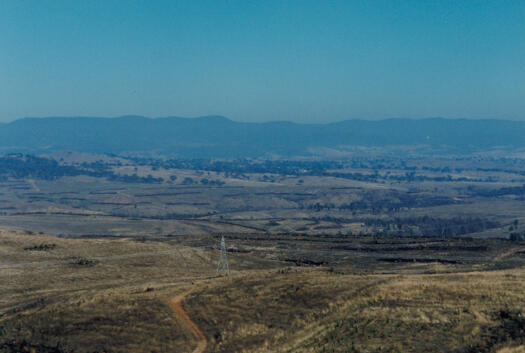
115	197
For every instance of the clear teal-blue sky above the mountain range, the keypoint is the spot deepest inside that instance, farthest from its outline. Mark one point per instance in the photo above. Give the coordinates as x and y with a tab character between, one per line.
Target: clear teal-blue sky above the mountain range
302	61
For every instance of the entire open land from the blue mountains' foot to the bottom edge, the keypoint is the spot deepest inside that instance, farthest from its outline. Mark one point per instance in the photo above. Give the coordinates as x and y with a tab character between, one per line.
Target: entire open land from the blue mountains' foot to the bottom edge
359	258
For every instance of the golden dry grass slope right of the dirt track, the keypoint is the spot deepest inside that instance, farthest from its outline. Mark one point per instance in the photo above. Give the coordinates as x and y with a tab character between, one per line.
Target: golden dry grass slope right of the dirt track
312	311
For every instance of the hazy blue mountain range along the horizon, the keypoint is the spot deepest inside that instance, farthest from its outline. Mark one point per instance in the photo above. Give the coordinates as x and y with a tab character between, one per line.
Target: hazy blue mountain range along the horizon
215	136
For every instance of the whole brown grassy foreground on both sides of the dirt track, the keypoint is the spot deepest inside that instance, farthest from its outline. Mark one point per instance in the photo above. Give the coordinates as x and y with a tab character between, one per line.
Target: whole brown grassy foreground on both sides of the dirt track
113	295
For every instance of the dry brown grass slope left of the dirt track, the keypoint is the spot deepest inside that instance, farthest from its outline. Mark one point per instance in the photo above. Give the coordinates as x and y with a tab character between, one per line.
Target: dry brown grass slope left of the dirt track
117	302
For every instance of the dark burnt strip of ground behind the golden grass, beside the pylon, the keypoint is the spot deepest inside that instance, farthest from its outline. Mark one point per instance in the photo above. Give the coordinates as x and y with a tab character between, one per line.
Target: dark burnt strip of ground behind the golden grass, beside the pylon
376	254
